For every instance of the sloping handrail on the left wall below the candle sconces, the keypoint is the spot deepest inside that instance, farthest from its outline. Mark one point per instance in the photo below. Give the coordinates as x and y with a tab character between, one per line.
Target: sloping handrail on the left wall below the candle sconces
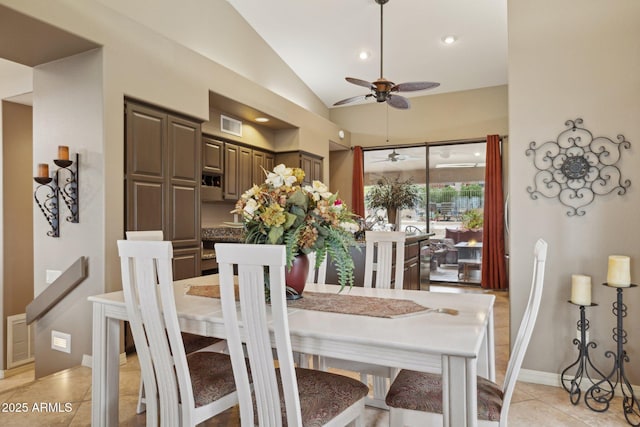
57	290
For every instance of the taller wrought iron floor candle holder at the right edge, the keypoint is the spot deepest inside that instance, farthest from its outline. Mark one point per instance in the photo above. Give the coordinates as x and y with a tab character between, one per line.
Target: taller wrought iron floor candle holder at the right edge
598	397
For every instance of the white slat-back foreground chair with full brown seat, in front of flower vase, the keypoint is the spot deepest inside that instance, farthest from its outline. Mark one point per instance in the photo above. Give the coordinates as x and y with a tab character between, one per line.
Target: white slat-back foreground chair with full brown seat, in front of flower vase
285	394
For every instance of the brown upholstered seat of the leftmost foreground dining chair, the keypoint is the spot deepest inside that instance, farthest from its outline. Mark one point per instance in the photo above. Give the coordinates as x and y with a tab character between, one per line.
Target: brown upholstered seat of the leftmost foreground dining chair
211	376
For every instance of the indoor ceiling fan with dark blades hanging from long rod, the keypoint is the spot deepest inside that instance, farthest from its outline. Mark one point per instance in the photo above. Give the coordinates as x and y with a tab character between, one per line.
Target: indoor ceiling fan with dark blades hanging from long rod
382	89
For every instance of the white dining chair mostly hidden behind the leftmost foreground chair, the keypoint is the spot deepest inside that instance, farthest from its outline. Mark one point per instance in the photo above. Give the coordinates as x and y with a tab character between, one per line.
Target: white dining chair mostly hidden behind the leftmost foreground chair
192	342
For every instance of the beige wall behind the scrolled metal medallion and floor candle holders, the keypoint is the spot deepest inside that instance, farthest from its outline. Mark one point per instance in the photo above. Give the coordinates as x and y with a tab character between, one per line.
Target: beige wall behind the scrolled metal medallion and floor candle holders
570	59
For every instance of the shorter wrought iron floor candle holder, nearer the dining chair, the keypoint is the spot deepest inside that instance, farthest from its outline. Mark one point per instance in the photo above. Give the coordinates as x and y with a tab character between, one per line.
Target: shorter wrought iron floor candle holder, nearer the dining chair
585	369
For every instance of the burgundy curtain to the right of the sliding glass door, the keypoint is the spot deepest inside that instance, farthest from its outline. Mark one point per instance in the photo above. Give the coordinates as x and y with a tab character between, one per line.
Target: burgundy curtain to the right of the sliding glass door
494	271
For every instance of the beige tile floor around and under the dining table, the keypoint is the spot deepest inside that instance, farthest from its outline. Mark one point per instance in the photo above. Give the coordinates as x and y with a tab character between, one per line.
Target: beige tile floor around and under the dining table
64	398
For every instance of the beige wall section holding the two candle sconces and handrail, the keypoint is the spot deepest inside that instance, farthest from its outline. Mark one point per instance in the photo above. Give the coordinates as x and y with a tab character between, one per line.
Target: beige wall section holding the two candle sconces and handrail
66	89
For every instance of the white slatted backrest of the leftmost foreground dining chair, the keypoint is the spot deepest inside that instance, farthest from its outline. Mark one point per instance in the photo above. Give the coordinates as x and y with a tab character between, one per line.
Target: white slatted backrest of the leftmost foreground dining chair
148	291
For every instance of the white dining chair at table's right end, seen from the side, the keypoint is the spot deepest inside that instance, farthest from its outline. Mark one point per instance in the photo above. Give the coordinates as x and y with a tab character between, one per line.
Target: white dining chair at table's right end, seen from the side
415	398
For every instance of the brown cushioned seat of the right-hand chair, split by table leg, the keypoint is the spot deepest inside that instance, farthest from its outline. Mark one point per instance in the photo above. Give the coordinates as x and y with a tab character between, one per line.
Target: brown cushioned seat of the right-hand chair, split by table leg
420	391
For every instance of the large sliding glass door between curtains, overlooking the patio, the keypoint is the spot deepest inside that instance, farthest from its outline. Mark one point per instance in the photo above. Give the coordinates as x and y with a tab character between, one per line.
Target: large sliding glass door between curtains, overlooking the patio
452	196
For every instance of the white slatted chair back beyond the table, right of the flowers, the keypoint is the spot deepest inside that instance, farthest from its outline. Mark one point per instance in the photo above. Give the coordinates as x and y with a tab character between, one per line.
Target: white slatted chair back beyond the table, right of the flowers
379	257
